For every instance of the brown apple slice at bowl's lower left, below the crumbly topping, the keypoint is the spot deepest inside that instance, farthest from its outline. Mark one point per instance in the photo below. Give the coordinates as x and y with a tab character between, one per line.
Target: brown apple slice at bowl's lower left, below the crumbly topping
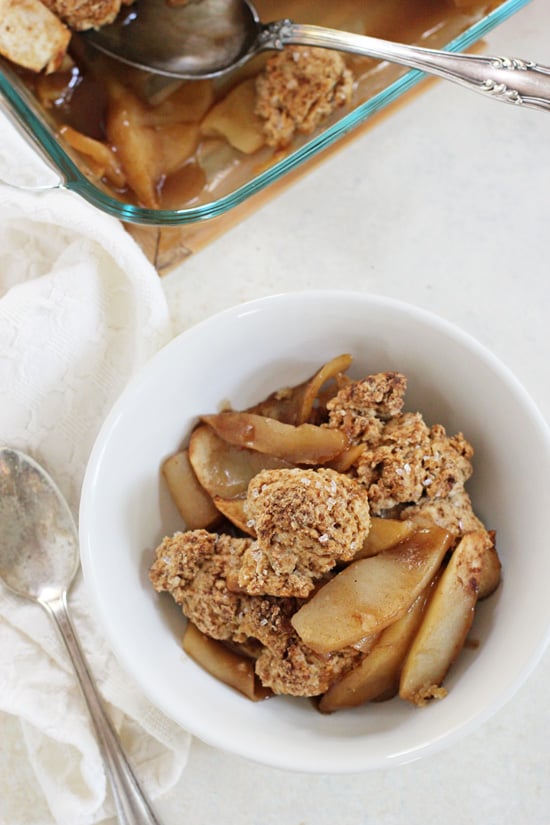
231	668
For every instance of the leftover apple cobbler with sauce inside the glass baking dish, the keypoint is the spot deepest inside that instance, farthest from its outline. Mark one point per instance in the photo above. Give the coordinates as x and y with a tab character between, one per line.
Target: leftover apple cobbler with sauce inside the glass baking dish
174	144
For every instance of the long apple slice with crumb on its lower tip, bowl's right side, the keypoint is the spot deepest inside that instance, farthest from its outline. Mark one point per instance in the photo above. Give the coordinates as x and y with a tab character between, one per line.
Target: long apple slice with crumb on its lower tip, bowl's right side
447	621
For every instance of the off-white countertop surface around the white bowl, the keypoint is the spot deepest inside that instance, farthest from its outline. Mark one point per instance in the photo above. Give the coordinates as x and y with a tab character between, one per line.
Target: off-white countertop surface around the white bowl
447	205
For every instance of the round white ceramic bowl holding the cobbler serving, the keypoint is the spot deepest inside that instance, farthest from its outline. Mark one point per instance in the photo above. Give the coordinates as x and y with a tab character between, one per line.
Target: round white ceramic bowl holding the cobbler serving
241	355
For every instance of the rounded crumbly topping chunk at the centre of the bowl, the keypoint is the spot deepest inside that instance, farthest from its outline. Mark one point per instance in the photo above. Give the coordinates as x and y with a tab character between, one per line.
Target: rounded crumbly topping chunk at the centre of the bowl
305	522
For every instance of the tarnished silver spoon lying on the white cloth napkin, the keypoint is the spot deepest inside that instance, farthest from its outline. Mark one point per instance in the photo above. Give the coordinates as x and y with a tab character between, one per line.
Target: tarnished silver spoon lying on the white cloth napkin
39	559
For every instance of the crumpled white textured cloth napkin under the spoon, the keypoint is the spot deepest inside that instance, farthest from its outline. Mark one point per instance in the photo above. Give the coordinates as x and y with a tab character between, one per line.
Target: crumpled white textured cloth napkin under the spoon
80	310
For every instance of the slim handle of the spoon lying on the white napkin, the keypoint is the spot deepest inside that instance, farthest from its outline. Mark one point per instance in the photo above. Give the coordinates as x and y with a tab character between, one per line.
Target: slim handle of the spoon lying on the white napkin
131	805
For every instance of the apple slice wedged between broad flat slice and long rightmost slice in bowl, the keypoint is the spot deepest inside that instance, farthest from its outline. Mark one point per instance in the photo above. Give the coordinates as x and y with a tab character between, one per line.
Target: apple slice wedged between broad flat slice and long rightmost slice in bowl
377	676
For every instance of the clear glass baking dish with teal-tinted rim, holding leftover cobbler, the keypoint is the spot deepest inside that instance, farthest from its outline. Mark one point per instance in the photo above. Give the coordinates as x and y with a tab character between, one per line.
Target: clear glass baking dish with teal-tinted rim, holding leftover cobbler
451	24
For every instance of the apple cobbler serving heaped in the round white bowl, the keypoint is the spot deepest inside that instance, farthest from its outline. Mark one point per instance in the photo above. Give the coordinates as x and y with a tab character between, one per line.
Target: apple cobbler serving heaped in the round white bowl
333	551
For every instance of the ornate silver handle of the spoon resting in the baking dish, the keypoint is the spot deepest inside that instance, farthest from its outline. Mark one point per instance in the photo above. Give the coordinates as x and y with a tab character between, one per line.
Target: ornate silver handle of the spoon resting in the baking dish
508	79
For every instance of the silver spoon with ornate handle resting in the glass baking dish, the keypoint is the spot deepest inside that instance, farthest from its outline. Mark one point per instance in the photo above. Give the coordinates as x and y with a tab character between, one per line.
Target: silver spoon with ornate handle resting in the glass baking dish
207	38
